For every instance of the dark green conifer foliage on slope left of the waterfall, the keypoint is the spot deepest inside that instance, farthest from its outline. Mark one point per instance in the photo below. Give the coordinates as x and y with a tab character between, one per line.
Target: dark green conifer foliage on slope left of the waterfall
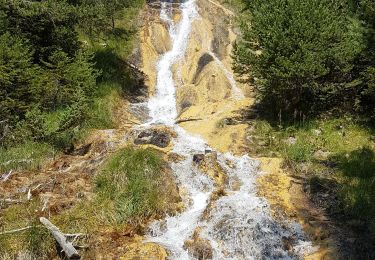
50	81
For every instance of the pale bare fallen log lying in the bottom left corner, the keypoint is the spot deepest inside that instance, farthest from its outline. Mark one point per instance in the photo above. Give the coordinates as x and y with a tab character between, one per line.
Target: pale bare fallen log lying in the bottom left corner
66	246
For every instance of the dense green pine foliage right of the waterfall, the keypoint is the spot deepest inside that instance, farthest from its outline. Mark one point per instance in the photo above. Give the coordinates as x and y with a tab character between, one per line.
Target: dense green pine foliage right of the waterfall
300	54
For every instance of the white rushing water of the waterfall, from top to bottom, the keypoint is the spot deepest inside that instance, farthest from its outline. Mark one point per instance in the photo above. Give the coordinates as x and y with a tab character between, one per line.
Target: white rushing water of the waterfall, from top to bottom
239	225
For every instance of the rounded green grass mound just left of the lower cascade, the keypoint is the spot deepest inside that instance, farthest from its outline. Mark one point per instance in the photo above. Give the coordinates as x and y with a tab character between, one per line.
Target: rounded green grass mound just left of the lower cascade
130	183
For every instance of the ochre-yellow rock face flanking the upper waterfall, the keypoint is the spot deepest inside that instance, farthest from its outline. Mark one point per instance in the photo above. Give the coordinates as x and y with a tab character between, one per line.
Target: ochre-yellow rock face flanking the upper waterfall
204	88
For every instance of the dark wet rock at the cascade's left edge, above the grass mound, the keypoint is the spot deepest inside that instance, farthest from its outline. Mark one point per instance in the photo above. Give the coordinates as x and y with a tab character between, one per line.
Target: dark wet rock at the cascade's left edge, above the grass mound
154	137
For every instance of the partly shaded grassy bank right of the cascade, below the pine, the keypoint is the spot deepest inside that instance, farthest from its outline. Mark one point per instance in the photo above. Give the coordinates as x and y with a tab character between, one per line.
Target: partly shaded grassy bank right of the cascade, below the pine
336	156
